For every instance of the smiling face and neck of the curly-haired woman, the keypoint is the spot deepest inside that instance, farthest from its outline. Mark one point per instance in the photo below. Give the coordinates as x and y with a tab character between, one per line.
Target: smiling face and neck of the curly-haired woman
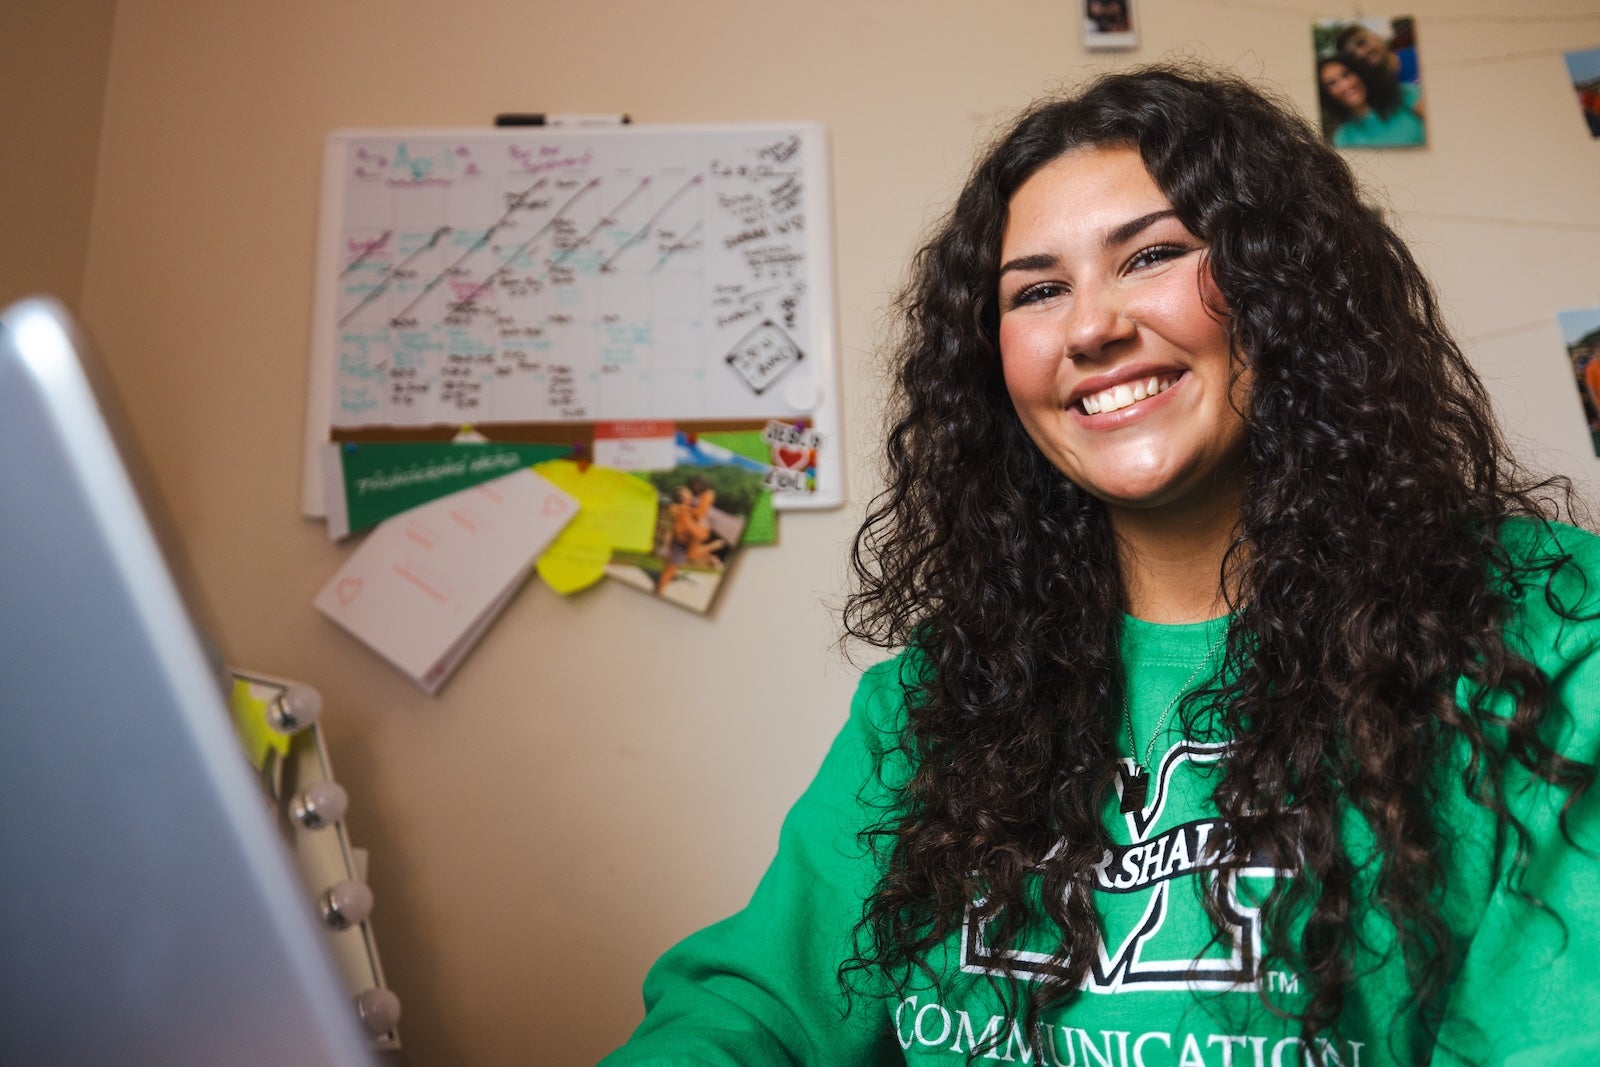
1121	367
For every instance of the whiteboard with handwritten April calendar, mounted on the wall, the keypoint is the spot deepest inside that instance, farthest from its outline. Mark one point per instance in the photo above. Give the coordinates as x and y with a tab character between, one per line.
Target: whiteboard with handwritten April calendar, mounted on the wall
537	281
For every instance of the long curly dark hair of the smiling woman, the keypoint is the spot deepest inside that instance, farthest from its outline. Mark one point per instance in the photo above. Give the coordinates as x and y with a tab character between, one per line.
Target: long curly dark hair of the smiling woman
1366	580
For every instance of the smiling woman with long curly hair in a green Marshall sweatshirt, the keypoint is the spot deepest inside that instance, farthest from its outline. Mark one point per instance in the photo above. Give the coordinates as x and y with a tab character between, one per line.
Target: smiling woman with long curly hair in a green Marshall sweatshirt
1249	697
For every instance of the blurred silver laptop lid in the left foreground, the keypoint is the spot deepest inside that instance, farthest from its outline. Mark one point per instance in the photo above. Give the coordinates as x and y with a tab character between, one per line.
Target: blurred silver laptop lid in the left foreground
150	913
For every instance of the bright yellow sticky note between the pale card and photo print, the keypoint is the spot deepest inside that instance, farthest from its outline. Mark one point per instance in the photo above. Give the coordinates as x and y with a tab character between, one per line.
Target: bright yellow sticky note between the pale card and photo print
615	511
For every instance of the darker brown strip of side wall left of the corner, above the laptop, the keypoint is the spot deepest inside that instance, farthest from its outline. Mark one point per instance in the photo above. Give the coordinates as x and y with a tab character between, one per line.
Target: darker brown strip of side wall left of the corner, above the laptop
52	92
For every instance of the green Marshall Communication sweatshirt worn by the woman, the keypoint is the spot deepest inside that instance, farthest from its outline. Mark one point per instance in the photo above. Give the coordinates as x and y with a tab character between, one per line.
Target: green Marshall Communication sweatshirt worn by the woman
761	988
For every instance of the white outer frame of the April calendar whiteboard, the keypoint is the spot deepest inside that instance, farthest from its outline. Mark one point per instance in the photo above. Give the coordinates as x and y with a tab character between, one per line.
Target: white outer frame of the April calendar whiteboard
828	414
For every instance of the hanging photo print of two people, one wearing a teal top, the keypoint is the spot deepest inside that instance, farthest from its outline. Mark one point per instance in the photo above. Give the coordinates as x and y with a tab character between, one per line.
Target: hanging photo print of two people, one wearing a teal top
1370	82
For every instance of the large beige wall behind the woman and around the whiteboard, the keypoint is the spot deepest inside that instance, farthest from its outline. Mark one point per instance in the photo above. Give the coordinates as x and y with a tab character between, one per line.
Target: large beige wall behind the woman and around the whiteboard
609	773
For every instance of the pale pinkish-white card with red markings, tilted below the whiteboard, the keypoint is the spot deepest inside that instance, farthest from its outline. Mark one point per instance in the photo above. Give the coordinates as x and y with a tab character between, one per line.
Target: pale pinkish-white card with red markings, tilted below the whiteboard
425	585
